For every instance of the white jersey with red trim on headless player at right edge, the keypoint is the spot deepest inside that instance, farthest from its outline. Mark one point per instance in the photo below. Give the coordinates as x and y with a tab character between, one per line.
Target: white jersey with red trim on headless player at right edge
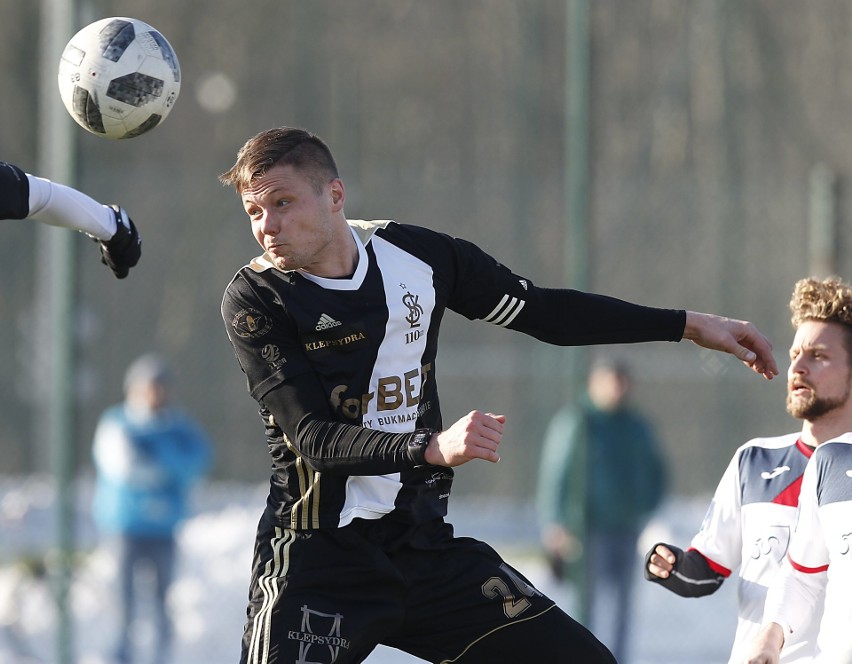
819	561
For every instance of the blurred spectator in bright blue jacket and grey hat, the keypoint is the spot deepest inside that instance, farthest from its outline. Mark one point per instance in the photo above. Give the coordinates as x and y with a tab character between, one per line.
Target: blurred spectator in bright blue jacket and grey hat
148	454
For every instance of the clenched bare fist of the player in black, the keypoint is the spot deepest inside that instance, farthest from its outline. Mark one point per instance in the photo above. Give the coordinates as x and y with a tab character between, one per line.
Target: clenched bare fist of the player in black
475	436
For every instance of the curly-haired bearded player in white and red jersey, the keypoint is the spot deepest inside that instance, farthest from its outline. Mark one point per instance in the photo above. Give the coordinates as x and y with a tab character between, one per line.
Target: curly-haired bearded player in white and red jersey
754	509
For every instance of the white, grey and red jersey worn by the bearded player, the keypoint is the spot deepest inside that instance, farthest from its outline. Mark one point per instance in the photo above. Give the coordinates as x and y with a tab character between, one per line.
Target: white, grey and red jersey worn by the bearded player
748	527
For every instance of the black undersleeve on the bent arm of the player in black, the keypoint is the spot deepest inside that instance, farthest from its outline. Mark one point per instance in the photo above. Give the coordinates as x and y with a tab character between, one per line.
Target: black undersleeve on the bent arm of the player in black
299	409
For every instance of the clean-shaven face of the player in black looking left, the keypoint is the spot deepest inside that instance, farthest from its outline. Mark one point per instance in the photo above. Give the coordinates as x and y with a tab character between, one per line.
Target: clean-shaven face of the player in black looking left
297	227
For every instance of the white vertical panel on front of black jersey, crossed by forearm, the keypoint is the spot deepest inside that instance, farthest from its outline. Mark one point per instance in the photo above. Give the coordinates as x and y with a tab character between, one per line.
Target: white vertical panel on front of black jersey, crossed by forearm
398	376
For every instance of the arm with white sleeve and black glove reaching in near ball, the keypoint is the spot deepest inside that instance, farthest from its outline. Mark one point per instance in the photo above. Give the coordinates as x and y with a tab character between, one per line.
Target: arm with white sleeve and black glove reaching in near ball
24	196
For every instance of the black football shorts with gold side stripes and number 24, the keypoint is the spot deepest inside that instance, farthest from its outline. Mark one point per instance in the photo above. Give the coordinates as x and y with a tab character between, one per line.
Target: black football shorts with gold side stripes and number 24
332	595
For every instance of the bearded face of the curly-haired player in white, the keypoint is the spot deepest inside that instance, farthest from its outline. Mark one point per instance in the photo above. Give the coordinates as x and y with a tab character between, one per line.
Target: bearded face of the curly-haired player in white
819	380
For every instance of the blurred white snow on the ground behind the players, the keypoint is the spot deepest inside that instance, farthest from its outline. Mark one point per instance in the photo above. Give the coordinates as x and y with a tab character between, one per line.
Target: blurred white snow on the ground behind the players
211	586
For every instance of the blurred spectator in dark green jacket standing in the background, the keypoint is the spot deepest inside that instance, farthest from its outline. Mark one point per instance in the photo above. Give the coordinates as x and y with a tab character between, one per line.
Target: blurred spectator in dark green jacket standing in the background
602	475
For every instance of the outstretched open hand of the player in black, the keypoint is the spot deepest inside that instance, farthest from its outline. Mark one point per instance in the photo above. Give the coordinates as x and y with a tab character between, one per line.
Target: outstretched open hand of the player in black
739	338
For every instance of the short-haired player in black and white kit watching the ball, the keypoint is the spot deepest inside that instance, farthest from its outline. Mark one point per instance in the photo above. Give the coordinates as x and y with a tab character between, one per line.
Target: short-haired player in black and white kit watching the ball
336	329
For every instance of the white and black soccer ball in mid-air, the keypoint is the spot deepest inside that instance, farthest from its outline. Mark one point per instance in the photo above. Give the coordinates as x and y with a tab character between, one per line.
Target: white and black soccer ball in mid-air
119	77
